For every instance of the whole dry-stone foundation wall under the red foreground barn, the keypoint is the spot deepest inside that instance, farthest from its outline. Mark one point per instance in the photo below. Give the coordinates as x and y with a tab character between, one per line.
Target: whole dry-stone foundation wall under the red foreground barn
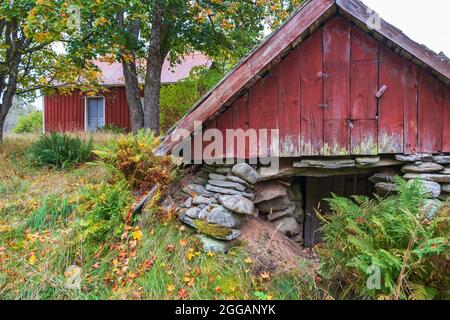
221	198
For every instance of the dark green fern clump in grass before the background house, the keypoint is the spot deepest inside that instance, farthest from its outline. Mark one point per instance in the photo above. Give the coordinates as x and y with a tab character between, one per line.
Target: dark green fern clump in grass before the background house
60	151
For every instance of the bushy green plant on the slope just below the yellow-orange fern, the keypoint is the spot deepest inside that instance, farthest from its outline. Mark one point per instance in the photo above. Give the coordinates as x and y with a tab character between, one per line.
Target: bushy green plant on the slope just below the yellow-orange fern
105	210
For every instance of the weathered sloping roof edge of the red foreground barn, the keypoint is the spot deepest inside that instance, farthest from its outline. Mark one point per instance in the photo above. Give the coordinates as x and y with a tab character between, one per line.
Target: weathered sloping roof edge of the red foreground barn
307	19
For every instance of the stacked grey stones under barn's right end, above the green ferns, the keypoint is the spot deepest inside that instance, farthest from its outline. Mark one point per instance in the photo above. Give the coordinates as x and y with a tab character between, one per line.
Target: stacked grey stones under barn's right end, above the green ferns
432	171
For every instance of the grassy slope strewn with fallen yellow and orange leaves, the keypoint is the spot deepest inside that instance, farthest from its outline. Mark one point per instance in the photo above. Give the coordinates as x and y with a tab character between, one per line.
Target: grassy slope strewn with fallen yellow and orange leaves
39	210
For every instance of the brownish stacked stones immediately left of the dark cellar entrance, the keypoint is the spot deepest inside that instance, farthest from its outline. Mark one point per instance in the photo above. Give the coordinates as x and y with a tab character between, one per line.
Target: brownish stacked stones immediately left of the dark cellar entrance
281	204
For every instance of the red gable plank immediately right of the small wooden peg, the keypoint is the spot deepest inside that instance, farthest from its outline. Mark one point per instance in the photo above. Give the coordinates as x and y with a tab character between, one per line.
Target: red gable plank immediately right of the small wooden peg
390	121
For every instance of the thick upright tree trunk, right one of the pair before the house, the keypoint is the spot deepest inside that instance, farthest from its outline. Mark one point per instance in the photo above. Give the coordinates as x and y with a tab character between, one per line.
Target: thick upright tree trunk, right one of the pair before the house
155	59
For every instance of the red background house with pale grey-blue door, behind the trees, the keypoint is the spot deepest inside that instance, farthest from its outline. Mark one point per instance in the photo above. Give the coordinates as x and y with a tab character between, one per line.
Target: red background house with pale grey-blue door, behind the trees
78	112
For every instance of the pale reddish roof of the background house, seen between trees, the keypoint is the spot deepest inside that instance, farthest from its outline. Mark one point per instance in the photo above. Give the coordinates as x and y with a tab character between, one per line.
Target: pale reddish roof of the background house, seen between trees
113	72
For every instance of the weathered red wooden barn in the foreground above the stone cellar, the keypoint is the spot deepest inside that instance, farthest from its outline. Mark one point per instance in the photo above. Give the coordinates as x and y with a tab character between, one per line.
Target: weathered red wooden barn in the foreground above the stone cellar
345	93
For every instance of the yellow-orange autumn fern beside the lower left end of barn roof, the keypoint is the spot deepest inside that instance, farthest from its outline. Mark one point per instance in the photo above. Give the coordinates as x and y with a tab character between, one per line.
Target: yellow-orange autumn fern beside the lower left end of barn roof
133	157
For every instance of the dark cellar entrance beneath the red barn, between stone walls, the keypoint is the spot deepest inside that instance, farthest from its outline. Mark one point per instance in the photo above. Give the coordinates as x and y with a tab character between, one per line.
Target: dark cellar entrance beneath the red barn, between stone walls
316	189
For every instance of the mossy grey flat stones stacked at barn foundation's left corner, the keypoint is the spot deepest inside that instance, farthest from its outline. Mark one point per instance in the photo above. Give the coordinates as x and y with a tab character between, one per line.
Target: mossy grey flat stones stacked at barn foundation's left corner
220	199
